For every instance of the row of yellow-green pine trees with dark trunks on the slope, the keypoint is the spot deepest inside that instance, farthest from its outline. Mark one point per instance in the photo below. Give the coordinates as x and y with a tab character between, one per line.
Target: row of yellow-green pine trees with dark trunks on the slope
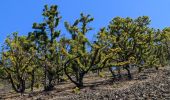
44	58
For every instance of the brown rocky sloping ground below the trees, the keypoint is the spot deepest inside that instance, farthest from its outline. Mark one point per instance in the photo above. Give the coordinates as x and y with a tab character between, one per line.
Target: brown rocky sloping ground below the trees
147	85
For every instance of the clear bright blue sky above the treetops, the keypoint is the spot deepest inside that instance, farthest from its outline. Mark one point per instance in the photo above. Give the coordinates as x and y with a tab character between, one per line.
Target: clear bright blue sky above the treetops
18	15
